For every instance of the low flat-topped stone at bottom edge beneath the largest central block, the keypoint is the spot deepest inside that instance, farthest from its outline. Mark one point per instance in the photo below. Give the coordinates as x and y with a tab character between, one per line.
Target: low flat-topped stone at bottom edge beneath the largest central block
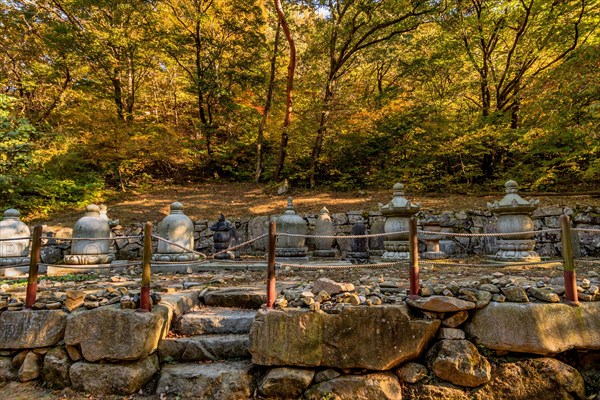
381	386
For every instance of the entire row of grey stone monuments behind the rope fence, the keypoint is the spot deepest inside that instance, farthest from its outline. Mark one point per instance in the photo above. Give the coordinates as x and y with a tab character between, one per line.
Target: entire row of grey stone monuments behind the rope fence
92	237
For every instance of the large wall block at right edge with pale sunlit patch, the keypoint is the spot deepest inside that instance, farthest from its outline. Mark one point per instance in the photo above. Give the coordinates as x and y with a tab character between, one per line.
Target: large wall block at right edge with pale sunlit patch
536	328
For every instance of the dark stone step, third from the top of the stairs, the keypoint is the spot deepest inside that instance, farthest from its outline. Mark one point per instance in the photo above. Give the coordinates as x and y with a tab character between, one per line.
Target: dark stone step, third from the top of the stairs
204	348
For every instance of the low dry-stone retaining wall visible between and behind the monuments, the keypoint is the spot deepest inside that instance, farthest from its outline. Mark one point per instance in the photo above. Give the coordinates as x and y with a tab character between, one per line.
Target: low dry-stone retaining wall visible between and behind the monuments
472	221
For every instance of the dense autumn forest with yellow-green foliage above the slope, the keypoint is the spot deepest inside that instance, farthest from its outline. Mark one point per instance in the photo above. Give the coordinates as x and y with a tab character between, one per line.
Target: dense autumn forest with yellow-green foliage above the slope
454	95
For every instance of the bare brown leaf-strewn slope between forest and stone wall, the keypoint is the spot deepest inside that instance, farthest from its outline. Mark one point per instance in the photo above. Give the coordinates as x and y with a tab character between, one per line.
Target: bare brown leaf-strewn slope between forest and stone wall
236	200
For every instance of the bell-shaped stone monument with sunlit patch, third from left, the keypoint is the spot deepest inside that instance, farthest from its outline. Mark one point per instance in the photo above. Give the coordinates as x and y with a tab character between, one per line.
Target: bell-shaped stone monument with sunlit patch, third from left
177	228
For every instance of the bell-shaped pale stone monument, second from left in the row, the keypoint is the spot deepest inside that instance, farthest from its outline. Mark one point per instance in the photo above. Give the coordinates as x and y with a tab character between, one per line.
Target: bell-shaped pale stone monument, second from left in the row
89	250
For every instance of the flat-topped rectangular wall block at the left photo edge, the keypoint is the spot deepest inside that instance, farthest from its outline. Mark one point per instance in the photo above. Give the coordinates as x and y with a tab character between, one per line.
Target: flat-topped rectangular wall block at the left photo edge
28	329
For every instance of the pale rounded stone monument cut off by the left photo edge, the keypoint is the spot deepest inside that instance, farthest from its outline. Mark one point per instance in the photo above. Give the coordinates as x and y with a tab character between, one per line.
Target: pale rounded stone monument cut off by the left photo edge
13	252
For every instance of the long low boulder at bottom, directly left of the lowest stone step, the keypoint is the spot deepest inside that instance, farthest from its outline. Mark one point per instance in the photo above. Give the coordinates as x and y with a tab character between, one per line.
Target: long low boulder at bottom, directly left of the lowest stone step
123	378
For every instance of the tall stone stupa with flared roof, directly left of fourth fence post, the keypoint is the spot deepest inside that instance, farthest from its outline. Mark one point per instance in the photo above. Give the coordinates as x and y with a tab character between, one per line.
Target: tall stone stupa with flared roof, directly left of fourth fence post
397	215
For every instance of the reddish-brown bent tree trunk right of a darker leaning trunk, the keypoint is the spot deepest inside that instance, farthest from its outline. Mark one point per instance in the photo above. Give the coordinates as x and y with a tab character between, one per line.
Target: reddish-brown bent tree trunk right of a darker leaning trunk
289	89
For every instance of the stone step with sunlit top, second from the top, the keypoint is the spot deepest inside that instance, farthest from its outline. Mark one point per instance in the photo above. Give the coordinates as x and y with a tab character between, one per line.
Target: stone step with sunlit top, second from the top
215	320
